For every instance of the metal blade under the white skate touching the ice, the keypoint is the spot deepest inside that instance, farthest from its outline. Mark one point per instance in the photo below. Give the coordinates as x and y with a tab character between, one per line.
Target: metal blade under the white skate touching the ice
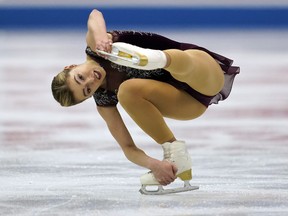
162	191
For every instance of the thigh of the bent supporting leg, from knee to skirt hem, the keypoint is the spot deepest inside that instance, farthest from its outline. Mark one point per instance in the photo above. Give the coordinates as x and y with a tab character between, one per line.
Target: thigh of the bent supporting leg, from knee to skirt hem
170	101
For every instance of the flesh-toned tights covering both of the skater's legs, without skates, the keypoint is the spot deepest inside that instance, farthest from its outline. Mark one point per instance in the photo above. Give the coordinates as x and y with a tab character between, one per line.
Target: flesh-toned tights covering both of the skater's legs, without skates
149	101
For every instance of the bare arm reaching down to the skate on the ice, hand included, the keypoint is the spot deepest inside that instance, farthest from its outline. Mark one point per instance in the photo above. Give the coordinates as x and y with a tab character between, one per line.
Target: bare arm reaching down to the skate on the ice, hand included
163	171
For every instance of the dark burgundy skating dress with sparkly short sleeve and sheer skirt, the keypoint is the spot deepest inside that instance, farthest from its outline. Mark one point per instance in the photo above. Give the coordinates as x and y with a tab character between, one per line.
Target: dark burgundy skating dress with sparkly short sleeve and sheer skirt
116	74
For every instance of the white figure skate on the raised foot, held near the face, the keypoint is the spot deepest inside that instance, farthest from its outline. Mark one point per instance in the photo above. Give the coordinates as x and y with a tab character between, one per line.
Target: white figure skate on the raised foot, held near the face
136	57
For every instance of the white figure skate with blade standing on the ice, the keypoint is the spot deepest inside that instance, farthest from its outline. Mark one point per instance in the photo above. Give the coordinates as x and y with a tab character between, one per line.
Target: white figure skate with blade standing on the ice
176	153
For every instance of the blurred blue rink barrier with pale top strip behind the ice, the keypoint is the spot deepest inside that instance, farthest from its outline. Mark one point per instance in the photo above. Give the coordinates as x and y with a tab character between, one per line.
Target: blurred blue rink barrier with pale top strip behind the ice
139	14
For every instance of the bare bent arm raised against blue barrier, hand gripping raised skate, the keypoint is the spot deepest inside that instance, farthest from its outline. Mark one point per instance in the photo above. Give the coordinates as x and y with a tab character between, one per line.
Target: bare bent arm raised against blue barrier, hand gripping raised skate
97	36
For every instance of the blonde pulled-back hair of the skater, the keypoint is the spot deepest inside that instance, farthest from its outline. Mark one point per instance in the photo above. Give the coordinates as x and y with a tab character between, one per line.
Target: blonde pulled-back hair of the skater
61	91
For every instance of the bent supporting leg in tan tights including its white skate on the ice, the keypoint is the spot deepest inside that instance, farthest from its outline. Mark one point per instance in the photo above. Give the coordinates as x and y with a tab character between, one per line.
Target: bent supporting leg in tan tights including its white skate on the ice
147	102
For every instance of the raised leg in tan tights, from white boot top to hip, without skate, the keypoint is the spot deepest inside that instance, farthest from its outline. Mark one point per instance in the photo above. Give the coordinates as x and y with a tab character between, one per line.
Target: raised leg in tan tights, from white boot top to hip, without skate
196	68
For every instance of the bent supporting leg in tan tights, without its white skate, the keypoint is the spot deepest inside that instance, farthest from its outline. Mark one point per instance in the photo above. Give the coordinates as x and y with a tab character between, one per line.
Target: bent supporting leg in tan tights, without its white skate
147	101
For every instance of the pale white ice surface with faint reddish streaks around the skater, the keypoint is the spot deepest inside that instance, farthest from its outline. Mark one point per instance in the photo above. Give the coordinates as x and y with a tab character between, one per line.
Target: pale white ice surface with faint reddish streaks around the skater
59	161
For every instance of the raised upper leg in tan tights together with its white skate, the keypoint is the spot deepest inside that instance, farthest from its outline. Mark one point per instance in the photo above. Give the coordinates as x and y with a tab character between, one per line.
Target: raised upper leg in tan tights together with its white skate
194	67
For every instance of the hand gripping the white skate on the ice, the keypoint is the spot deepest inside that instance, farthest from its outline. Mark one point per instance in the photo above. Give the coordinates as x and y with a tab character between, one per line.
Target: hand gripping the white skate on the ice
165	172
